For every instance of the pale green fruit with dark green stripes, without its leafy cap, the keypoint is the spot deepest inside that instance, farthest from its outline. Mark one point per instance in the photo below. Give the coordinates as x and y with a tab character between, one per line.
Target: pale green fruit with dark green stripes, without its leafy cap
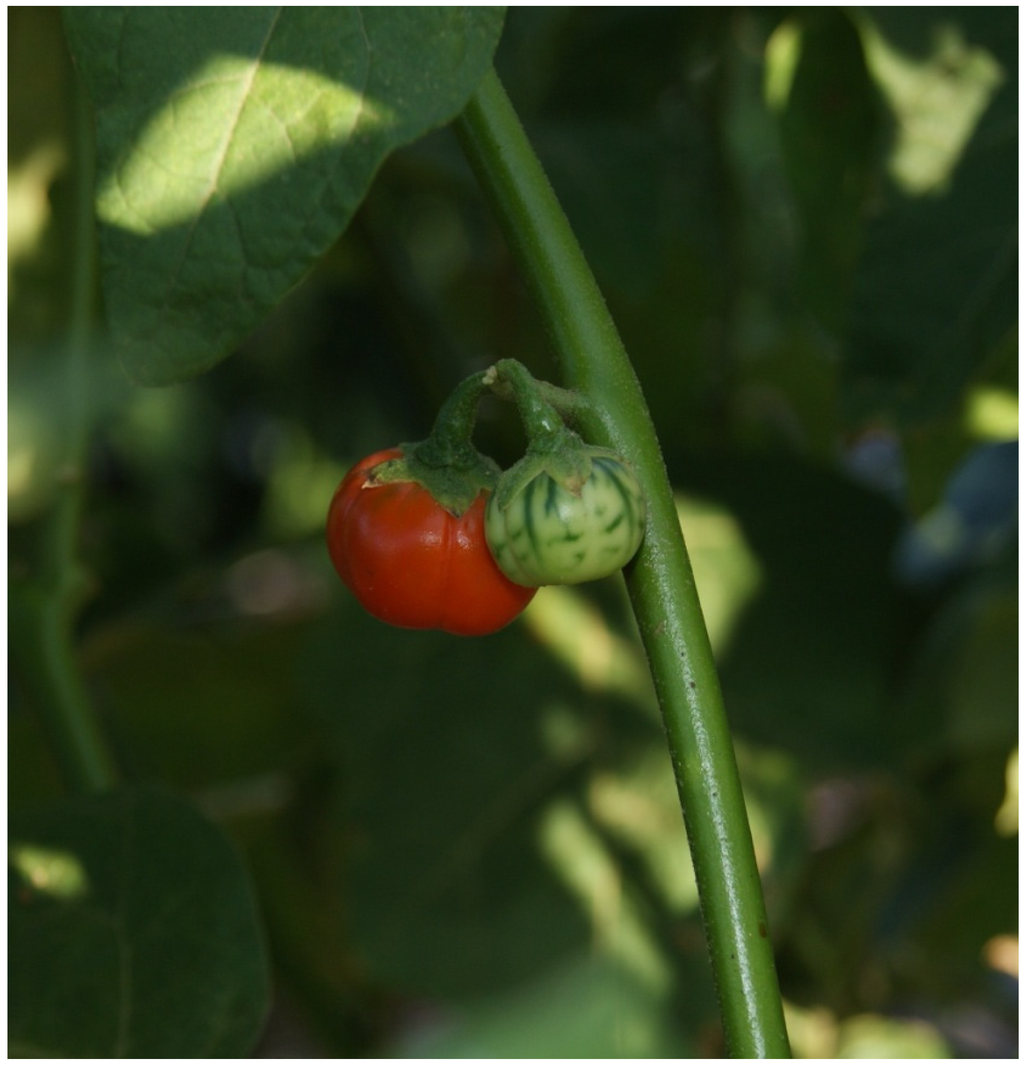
549	535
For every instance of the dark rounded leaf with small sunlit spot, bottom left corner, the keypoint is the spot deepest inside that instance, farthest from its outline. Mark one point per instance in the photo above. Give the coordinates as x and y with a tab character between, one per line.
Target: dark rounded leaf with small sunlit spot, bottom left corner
133	933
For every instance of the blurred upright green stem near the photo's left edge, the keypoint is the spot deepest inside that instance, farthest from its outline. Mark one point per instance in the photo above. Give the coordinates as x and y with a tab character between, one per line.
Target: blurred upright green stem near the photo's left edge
45	601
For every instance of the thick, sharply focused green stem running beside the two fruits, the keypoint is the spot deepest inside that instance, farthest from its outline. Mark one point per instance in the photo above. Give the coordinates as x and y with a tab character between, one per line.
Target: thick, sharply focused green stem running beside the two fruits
661	581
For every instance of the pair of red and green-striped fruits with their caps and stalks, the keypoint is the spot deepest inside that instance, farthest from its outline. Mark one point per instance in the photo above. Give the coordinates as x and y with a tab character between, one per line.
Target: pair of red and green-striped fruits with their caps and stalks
435	536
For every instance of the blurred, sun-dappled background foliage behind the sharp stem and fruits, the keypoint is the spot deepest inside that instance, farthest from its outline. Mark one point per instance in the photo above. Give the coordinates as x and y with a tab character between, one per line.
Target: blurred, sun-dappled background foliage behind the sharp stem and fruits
805	222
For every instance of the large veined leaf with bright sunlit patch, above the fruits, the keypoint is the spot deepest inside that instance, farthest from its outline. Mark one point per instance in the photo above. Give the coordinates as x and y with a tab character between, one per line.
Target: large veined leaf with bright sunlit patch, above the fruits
234	145
